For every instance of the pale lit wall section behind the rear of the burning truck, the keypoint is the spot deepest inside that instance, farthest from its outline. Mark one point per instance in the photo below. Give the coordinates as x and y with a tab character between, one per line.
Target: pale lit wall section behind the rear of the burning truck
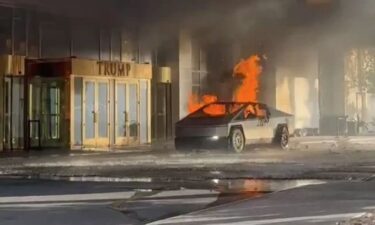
296	84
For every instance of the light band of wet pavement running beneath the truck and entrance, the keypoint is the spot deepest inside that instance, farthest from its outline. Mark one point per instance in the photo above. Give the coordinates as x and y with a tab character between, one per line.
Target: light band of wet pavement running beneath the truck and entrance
310	158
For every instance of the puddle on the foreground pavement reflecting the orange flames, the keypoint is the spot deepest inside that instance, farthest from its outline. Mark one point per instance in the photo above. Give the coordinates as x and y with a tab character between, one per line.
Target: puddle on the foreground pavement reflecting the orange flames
186	198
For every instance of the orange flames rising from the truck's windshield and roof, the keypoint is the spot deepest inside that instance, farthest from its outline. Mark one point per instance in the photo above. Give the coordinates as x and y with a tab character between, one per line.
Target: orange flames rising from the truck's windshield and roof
248	71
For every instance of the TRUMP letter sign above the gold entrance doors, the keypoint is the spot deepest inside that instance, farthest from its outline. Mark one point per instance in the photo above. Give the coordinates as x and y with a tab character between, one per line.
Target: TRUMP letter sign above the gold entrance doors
116	69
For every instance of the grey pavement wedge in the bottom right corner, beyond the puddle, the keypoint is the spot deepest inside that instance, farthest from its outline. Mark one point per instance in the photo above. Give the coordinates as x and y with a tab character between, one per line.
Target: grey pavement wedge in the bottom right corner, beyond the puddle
316	204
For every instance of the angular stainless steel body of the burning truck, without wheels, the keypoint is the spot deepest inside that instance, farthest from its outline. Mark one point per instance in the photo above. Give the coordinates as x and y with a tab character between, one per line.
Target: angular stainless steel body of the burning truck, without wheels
257	129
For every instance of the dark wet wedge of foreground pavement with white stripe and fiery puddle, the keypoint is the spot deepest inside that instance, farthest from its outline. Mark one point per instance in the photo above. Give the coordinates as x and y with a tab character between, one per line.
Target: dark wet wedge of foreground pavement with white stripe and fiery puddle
143	200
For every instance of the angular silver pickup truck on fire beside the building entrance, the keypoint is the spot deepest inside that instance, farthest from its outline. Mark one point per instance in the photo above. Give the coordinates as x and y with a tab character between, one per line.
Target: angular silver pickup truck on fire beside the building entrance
233	125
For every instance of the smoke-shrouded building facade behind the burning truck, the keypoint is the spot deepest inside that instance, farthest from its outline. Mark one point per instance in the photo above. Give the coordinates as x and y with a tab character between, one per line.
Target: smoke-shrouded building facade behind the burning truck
108	79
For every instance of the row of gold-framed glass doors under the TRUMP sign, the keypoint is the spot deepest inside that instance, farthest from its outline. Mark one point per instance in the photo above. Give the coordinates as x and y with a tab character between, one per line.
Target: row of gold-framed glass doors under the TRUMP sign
126	119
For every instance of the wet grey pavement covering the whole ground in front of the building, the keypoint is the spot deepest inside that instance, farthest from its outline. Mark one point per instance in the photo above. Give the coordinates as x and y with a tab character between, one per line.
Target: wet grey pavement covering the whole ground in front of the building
138	187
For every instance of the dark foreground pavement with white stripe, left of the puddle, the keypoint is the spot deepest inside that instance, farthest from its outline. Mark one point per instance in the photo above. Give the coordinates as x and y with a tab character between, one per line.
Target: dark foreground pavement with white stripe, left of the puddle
24	202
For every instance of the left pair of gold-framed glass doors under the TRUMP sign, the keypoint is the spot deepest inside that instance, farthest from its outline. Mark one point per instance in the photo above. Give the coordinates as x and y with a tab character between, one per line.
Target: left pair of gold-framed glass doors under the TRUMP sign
95	113
